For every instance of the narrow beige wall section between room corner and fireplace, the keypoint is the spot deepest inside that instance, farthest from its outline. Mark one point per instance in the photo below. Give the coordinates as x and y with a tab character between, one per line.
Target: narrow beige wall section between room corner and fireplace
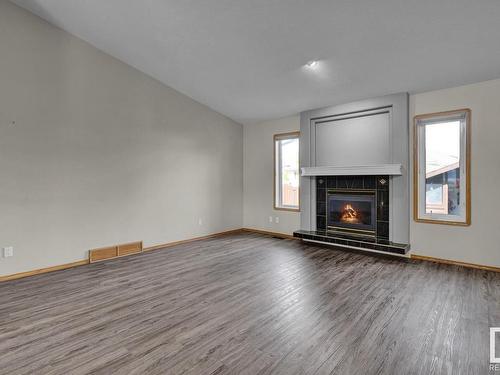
259	174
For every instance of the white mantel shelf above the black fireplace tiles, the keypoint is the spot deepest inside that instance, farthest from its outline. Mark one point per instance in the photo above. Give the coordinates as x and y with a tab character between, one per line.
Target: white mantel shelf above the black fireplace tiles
362	170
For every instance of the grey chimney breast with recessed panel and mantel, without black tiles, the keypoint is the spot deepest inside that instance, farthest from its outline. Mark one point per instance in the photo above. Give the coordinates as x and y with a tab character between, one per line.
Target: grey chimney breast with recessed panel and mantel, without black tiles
369	137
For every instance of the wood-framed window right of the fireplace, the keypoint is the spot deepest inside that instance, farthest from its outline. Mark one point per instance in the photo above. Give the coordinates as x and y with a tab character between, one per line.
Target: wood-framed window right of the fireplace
442	168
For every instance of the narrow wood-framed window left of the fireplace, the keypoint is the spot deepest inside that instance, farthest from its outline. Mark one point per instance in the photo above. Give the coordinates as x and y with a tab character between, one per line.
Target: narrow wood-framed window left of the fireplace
286	171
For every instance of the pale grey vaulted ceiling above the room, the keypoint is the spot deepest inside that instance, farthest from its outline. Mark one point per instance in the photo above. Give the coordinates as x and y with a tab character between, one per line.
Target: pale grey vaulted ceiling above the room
244	58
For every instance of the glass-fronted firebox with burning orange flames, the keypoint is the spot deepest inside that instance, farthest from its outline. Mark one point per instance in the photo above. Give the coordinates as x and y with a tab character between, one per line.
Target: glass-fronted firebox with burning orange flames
352	212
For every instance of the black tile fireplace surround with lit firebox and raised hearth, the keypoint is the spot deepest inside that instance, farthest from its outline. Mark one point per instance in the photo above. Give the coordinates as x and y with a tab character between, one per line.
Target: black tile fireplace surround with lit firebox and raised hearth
354	211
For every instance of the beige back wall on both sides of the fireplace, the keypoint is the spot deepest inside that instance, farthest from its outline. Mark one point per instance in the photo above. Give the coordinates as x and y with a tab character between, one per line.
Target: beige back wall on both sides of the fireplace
478	243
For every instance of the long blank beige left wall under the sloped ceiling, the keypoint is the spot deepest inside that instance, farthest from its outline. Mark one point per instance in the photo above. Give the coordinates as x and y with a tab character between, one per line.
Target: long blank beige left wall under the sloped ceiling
102	154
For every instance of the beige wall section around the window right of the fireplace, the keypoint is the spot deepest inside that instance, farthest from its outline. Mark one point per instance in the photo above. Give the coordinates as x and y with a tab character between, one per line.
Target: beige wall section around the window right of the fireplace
479	243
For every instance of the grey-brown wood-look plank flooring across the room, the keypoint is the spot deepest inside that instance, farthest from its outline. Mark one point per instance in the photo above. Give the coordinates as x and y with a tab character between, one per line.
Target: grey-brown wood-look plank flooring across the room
250	304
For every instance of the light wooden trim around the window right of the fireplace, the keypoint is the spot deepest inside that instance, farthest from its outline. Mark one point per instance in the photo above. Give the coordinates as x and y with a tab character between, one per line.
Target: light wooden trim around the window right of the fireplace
416	158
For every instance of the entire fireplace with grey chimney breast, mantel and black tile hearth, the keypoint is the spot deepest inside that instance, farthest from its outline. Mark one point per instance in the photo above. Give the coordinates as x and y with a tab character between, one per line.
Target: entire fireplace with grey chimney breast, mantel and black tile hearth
354	185
